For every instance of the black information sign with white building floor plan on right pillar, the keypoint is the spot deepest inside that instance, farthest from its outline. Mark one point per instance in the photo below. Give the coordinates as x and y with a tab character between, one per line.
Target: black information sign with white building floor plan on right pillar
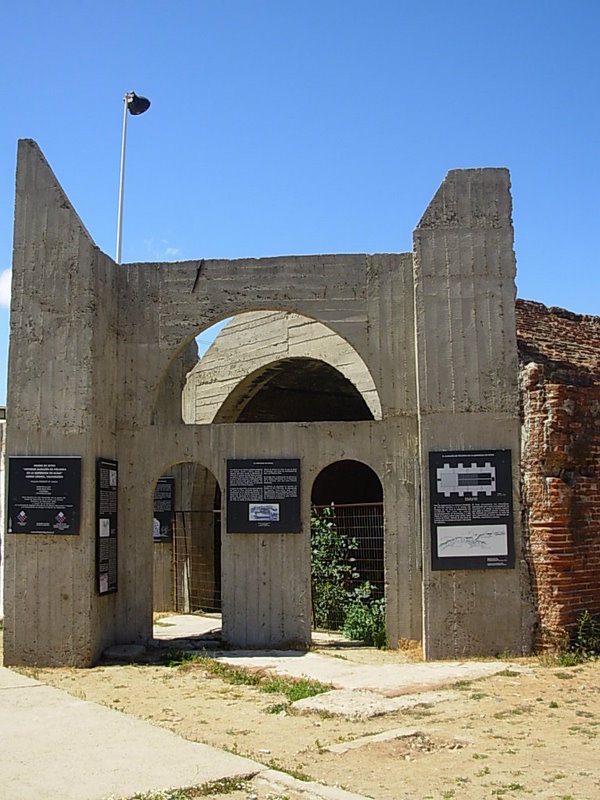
471	509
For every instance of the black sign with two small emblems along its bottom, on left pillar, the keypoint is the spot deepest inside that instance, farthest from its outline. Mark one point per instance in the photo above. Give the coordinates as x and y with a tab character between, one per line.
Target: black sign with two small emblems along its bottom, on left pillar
44	494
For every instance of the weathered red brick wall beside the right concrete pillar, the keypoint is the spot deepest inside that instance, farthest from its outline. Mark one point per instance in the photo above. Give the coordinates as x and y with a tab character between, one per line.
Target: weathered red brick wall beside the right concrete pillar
560	397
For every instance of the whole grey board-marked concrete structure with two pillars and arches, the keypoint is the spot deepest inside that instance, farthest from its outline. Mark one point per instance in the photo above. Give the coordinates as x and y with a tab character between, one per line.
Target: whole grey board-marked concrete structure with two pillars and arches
98	358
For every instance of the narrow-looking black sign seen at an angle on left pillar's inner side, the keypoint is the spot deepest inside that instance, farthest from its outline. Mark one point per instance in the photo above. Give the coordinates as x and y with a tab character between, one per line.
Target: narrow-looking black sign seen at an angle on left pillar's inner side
107	480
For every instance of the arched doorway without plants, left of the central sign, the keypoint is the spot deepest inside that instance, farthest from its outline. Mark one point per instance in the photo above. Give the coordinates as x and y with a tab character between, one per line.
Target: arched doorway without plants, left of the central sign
187	541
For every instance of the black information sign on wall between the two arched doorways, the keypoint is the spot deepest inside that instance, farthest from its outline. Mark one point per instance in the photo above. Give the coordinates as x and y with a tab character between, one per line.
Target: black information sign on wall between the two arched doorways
263	495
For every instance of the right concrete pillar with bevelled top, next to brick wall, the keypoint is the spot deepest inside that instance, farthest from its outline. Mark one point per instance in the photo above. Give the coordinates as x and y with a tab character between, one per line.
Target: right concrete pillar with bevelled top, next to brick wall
466	351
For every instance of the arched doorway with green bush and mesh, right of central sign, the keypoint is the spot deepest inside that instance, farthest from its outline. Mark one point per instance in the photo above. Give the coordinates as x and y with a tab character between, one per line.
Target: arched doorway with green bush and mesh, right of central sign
347	549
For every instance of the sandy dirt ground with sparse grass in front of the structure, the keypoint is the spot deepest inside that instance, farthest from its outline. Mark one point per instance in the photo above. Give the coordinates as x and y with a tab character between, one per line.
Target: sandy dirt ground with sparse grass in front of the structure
532	733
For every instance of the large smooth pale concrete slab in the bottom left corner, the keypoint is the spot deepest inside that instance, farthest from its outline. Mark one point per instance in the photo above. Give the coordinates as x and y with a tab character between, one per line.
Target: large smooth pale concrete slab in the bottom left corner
57	747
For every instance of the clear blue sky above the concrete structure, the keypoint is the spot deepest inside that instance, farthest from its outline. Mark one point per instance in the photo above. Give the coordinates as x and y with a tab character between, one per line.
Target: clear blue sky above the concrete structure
318	126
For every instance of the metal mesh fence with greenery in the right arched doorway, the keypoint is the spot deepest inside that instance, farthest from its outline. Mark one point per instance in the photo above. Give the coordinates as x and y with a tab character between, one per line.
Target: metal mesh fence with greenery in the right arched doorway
358	552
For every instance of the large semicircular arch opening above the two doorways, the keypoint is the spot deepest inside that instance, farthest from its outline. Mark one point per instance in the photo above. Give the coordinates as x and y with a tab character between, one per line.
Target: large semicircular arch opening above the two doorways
275	366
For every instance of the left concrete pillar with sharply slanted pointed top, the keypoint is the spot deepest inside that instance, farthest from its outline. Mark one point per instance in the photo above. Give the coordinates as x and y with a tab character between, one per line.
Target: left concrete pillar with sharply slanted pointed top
62	391
